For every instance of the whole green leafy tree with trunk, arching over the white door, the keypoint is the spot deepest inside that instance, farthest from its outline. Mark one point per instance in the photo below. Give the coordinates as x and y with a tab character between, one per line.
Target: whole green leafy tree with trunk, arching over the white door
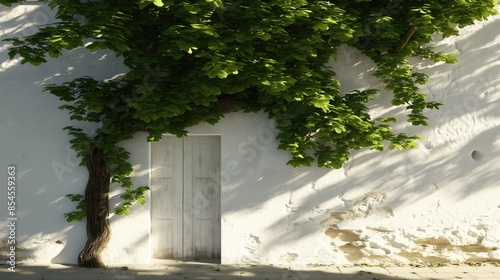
192	61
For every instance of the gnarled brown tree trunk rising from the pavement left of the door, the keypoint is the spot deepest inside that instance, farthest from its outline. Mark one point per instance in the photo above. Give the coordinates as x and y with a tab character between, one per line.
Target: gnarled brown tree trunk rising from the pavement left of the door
96	199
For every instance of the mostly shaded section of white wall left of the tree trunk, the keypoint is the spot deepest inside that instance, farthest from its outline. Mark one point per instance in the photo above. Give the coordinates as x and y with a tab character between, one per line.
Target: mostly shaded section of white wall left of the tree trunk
46	167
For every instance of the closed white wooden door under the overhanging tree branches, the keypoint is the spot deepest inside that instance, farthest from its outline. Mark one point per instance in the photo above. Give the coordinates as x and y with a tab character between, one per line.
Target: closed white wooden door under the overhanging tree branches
186	197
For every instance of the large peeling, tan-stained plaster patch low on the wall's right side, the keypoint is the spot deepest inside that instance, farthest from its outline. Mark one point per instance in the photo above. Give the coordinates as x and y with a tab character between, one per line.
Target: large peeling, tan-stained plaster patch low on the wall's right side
383	245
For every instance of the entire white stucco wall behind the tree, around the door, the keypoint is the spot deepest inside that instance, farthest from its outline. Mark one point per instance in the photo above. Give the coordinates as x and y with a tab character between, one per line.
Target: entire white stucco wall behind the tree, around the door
435	204
